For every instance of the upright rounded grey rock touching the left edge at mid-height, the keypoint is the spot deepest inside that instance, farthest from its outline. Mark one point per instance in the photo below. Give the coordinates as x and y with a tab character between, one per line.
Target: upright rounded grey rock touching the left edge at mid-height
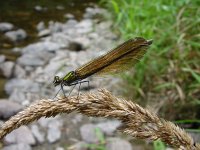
7	68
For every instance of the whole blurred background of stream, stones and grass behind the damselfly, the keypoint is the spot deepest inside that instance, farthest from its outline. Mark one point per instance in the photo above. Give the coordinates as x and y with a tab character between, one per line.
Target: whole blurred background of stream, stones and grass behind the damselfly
41	39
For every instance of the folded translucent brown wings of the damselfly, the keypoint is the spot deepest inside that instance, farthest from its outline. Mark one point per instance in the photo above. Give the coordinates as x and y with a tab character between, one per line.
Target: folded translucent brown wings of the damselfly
114	59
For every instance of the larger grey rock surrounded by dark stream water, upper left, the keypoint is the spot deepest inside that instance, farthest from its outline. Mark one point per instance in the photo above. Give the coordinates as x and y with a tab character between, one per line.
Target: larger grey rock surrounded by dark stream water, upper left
17	35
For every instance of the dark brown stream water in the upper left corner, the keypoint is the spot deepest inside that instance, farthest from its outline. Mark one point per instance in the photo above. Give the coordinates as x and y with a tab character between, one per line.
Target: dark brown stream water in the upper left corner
26	14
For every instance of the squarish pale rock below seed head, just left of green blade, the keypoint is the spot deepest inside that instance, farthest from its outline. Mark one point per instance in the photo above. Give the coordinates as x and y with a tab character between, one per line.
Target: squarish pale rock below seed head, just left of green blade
88	133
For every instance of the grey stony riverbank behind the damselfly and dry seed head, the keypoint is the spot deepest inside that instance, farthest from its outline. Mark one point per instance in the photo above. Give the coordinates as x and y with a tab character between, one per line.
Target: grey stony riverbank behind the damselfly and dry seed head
61	47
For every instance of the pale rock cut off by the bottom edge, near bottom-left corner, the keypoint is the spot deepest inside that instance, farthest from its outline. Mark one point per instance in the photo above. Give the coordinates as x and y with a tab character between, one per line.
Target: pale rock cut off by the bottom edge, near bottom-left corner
20	146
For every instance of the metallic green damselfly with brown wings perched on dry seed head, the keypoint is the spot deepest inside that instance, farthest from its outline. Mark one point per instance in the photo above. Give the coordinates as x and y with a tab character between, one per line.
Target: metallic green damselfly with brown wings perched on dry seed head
115	61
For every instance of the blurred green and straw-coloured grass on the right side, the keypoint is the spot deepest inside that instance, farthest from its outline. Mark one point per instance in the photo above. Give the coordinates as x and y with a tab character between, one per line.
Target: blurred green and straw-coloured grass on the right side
169	75
